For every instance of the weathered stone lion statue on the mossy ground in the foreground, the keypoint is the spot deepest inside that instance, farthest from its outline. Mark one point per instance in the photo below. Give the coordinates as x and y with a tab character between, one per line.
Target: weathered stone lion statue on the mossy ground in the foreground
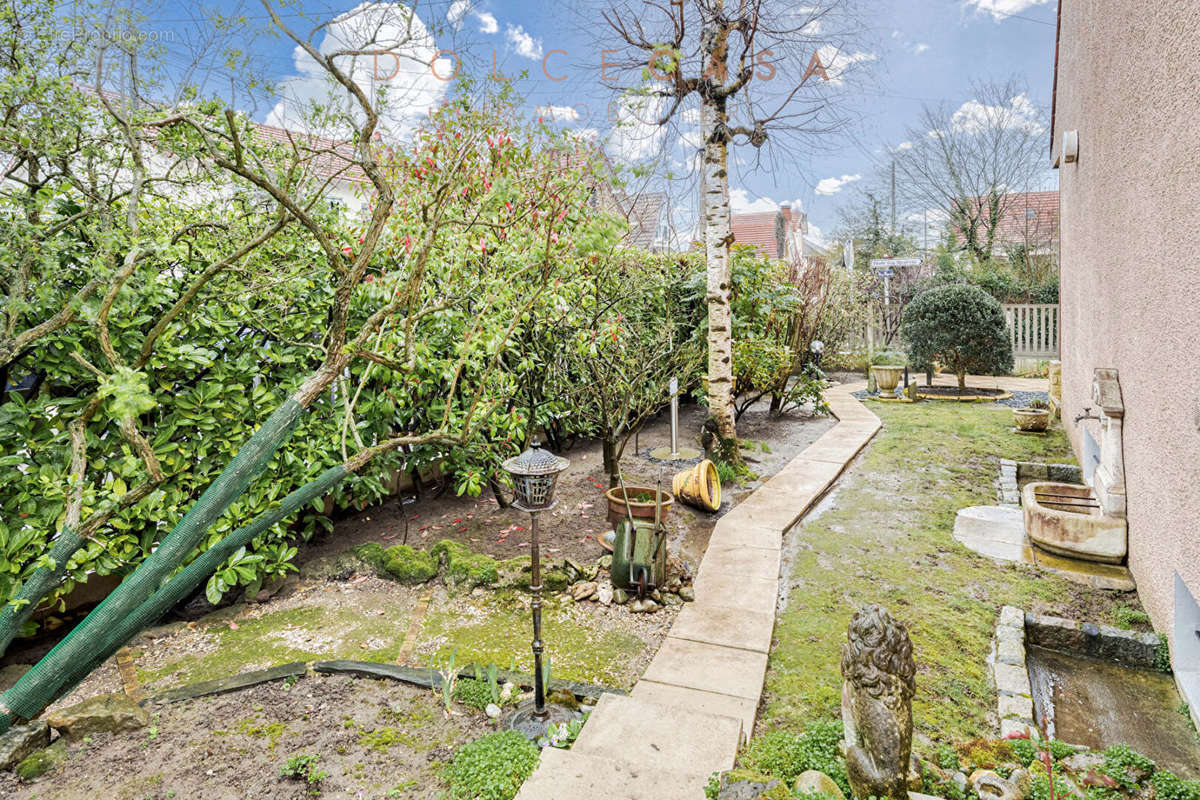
879	678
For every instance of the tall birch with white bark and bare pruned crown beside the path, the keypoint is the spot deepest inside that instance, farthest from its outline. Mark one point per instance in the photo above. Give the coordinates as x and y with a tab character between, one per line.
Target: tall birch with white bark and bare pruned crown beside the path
740	73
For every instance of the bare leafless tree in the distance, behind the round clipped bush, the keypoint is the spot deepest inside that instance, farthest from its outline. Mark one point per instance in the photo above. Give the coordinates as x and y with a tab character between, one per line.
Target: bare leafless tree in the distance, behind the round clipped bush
971	160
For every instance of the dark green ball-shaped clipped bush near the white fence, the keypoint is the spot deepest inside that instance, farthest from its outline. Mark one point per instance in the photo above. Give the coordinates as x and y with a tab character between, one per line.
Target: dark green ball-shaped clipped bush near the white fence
962	328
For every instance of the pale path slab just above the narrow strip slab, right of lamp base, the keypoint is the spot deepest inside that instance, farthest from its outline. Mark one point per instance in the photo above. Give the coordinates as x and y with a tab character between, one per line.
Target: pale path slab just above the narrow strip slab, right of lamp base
709	667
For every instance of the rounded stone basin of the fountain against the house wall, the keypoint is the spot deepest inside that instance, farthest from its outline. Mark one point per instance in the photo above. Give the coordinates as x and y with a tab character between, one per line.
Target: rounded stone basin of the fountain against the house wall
1066	520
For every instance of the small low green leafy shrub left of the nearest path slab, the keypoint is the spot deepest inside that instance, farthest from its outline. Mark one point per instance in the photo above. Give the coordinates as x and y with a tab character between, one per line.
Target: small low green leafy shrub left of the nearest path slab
491	768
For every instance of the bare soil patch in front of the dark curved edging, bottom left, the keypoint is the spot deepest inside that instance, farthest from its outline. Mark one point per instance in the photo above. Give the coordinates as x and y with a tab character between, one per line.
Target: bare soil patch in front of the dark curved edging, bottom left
376	739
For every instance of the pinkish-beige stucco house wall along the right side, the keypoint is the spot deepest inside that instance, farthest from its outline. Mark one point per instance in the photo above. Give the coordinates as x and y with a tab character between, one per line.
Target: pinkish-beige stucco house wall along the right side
1130	83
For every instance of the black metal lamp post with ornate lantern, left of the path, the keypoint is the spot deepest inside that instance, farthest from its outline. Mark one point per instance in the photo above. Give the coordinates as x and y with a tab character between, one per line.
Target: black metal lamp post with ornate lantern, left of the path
535	474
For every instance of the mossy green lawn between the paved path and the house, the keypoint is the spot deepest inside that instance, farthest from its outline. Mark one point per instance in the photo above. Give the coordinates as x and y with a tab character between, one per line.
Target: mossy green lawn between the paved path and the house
886	538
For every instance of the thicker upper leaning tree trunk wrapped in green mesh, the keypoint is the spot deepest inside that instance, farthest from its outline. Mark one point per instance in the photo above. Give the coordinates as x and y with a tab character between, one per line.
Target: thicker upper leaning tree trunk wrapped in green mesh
44	684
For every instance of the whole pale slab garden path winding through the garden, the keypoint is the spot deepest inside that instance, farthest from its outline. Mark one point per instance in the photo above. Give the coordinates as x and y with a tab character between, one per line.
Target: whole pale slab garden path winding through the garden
697	702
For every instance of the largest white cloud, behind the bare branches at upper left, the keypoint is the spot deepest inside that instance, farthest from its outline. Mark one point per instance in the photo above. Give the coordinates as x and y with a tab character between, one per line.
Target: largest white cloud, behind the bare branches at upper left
399	77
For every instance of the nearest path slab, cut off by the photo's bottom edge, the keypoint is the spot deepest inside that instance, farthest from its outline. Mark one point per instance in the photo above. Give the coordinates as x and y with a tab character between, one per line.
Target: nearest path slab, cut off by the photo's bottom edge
568	774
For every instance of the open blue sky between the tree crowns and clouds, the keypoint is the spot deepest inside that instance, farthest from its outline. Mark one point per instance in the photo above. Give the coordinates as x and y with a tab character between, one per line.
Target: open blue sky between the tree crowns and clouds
911	52
